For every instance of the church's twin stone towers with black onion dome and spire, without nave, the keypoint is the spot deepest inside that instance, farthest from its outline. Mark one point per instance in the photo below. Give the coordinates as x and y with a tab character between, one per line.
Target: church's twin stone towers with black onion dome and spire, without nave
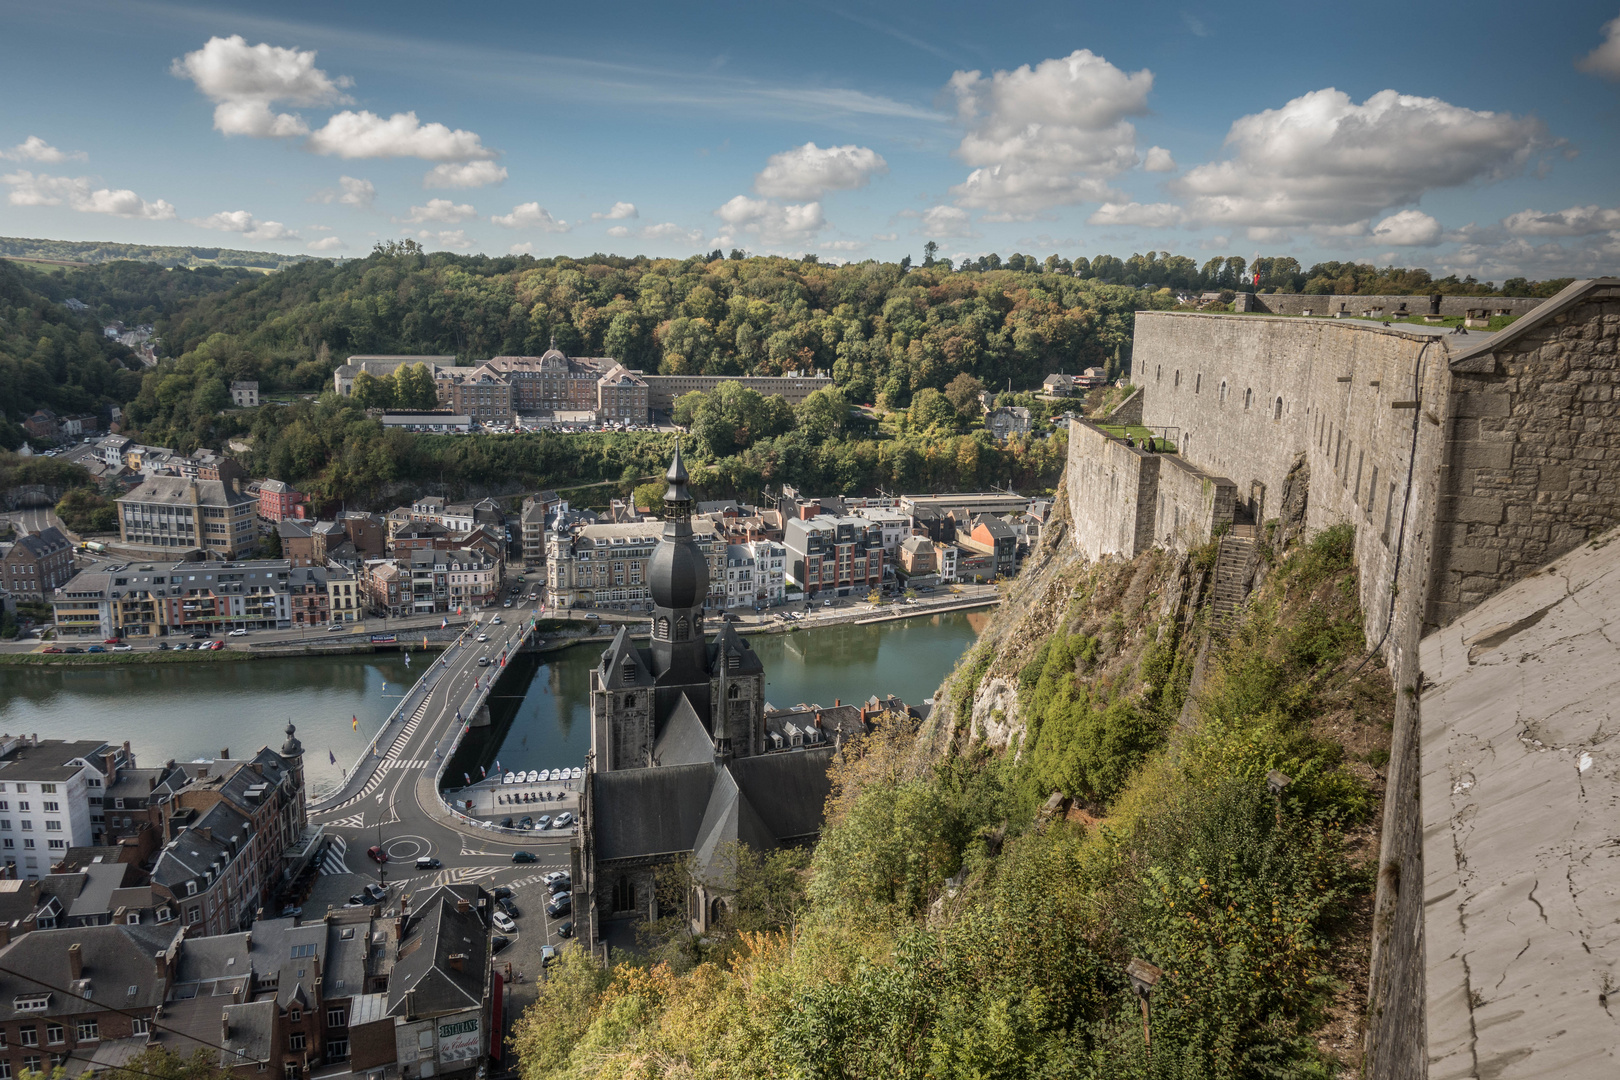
681	700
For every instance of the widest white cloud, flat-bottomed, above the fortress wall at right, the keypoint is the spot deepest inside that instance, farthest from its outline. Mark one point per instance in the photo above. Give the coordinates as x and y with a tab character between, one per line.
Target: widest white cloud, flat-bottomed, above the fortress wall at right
1324	159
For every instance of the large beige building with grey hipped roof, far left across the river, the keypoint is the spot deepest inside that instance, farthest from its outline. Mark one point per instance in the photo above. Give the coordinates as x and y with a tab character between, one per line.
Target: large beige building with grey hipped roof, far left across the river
171	516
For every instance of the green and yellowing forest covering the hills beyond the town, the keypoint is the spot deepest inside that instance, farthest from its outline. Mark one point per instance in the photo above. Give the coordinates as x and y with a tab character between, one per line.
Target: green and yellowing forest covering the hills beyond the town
895	338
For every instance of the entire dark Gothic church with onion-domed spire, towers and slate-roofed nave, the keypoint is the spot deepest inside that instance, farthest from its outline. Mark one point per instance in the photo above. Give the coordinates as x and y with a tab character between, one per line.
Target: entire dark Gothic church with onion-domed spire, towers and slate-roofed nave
683	760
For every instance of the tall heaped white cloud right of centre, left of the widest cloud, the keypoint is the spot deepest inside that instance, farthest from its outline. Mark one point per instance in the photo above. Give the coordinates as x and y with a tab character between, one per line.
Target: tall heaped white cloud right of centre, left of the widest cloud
1049	135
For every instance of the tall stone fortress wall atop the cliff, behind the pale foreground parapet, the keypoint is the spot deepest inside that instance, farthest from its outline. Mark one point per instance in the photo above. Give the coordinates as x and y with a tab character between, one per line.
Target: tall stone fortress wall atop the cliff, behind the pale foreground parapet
1465	464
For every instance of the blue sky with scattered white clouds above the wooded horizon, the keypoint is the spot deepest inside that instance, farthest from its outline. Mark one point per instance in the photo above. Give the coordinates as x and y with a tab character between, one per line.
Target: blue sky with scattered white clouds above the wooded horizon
1394	134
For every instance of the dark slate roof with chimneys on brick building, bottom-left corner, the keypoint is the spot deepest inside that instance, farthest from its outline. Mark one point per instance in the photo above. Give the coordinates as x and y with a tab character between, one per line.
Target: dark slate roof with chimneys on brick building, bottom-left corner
116	959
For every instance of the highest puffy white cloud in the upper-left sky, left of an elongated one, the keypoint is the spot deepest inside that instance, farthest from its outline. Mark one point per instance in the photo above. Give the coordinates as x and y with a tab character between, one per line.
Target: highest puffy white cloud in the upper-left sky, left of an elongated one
245	82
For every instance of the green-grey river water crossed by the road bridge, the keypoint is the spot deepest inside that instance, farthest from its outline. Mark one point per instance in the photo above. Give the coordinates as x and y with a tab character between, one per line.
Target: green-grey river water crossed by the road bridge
197	710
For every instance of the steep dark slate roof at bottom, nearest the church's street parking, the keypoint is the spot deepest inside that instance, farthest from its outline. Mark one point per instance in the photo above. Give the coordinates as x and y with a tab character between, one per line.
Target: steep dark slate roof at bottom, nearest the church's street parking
424	980
